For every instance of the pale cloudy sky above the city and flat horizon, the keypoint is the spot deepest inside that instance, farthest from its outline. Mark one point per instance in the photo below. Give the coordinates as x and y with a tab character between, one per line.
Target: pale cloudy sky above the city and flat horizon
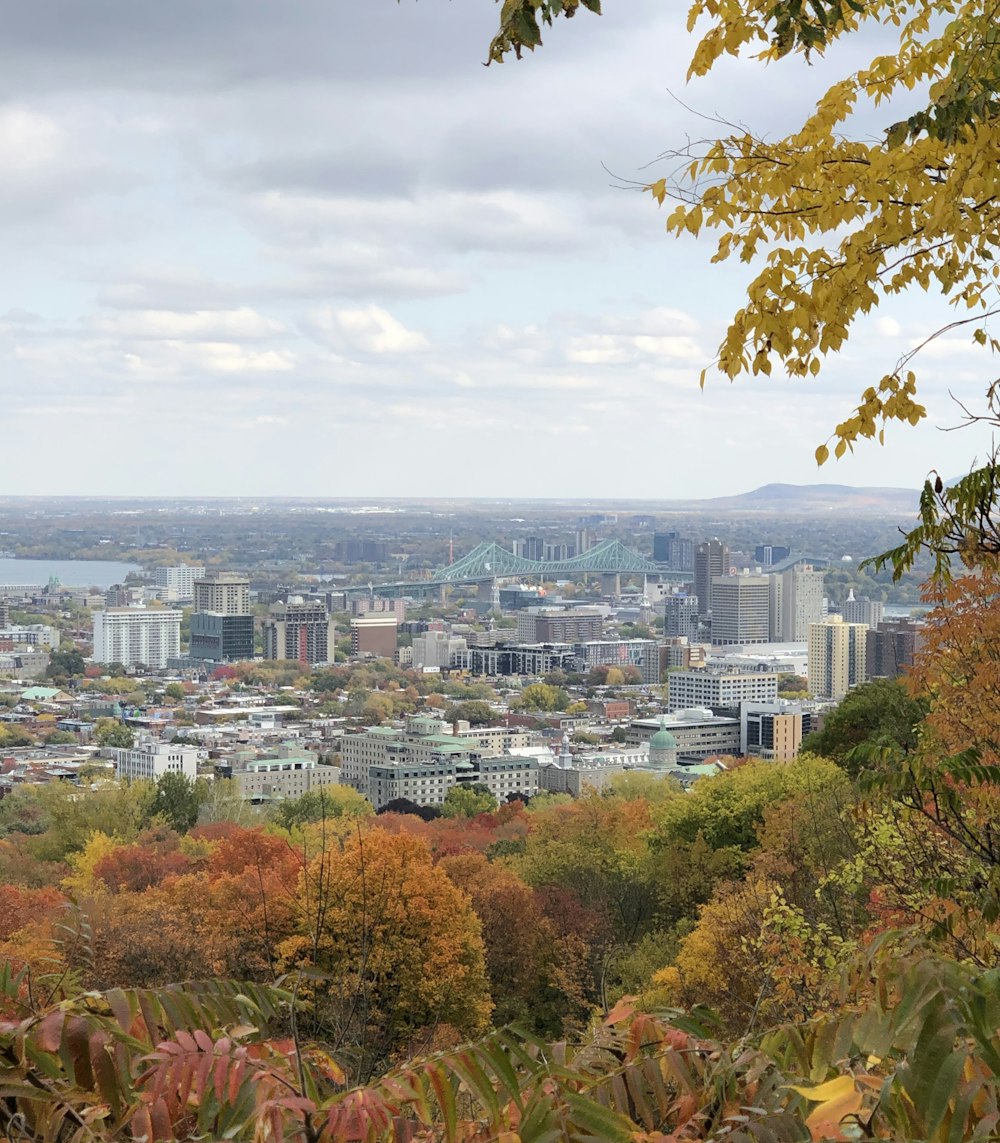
268	249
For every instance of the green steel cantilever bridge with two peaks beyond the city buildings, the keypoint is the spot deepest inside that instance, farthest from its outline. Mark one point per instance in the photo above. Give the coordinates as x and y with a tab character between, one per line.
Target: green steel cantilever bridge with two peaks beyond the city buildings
489	562
